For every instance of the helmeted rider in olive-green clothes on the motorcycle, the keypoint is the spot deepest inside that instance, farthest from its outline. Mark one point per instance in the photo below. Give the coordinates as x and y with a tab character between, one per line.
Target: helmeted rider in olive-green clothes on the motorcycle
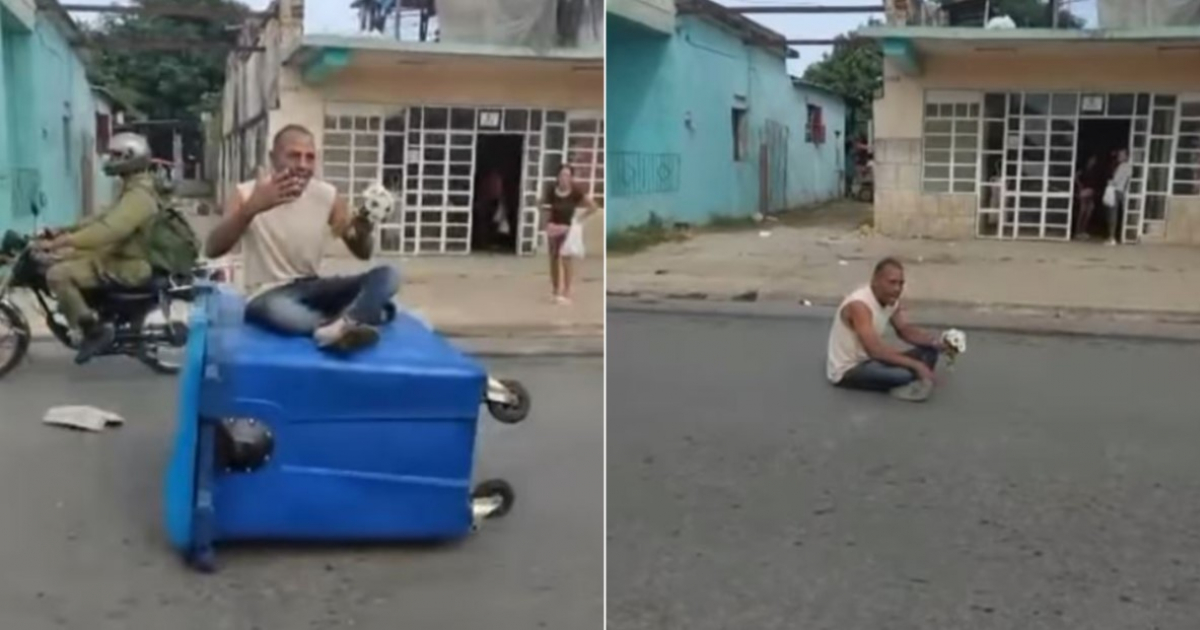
109	249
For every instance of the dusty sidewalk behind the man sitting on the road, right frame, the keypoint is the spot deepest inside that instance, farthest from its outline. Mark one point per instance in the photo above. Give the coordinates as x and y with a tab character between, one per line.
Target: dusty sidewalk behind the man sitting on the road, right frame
820	256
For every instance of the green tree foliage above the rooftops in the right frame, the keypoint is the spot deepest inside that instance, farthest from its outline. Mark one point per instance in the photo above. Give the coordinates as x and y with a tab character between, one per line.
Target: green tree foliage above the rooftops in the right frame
855	69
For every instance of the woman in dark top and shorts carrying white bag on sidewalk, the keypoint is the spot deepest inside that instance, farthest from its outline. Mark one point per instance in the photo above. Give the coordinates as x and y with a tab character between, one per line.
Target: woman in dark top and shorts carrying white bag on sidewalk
565	230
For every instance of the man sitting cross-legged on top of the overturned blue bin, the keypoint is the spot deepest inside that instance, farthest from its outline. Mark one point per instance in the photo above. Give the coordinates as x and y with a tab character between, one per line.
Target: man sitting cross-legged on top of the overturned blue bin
284	221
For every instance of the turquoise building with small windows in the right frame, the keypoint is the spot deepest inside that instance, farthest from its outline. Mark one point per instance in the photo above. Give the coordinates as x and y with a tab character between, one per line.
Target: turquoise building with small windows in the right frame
705	121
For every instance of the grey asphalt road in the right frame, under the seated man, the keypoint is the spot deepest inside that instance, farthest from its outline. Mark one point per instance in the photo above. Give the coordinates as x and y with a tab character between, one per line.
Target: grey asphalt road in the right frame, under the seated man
1051	484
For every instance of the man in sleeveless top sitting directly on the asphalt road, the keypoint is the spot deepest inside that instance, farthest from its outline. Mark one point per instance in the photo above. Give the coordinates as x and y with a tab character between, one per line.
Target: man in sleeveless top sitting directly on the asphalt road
859	356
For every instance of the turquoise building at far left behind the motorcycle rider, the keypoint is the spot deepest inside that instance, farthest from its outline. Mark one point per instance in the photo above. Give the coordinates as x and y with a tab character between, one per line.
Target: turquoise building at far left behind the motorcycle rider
49	122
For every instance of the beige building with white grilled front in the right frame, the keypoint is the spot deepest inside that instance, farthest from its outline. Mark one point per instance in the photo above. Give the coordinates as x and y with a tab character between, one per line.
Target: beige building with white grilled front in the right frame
982	134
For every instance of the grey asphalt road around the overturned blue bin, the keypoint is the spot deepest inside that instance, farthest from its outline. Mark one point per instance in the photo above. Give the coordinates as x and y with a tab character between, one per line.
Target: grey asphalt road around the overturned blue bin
82	545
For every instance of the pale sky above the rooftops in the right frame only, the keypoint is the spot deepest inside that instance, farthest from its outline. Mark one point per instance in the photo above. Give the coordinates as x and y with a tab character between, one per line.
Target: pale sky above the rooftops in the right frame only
829	27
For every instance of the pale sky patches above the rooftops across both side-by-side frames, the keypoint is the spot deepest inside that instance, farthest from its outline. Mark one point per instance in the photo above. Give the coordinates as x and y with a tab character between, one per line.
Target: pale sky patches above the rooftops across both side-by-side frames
338	17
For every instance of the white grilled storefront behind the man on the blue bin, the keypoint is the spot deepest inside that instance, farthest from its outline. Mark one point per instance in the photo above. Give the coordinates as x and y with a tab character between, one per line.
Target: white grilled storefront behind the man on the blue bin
435	158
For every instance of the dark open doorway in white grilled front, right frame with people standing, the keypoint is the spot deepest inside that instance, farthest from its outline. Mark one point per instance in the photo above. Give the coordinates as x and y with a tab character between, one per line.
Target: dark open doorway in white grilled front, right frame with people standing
1101	140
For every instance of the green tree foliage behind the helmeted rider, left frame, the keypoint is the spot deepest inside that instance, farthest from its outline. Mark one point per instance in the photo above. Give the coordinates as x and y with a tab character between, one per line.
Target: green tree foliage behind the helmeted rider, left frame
169	85
